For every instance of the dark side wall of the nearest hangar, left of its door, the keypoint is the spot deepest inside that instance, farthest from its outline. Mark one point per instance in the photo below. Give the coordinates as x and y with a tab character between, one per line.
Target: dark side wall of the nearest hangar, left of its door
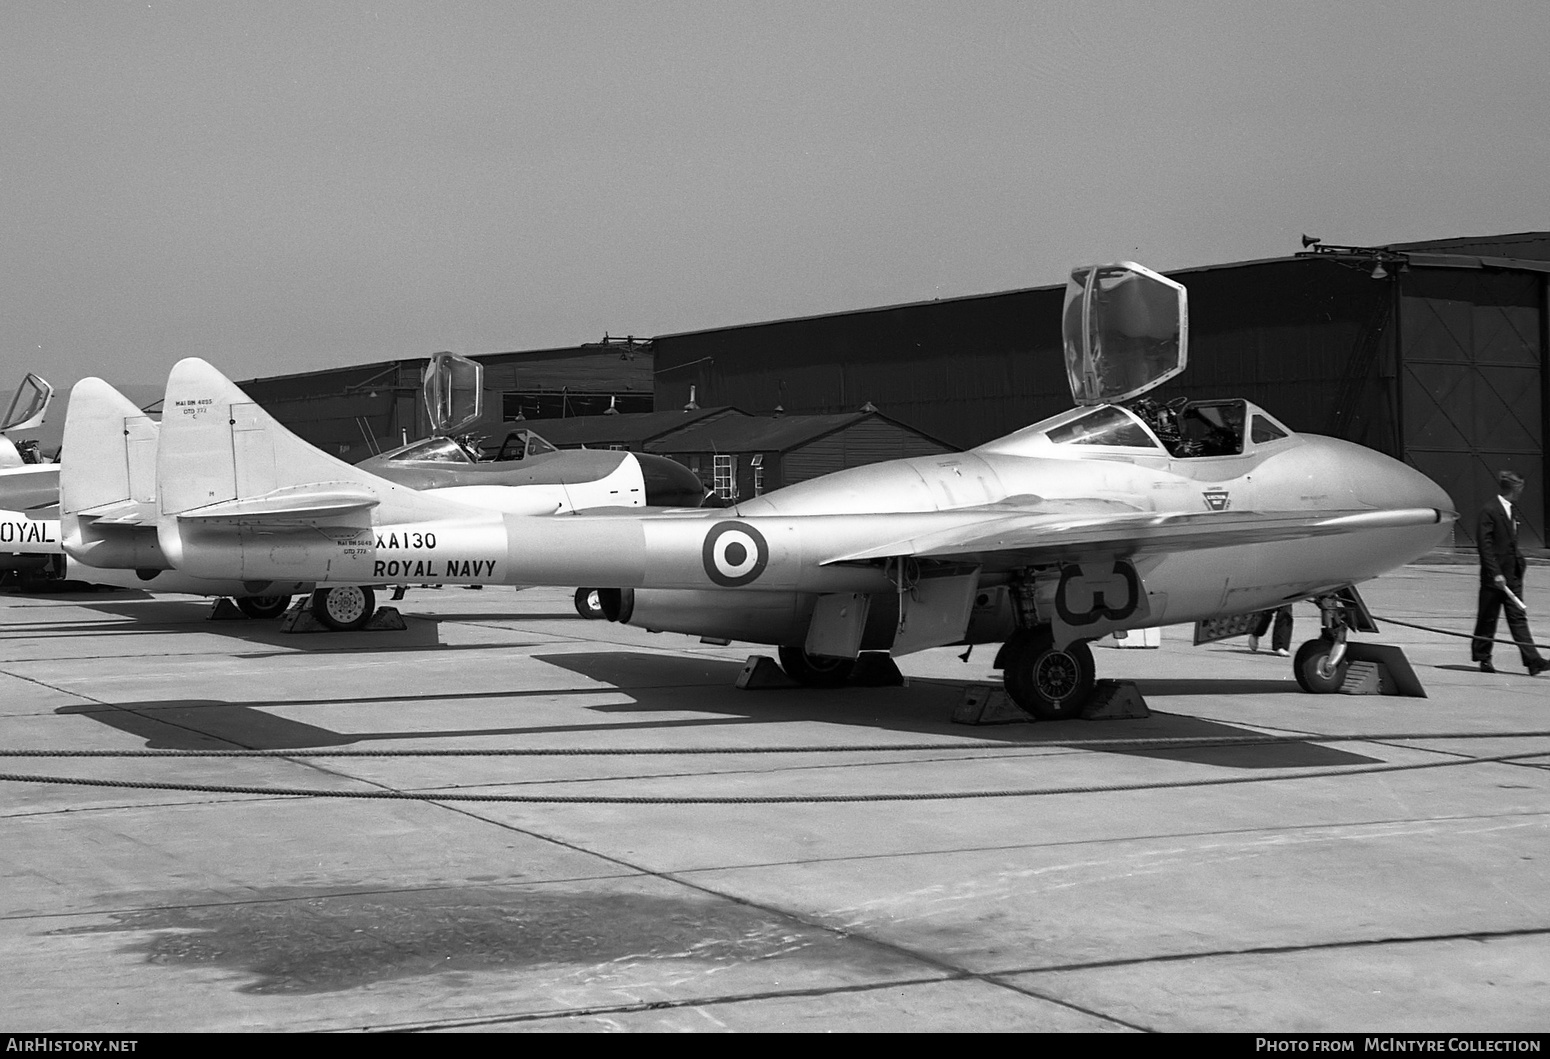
971	370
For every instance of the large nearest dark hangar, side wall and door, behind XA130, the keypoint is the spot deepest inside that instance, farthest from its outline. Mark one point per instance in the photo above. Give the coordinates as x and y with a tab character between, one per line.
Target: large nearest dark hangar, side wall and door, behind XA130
1441	367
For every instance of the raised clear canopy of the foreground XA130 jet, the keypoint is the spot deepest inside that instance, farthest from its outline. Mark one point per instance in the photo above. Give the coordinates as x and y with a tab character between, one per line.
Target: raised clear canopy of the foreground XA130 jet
1126	331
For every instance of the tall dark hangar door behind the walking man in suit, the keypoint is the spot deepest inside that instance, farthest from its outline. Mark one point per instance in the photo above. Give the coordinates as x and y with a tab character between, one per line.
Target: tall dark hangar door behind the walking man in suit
1473	388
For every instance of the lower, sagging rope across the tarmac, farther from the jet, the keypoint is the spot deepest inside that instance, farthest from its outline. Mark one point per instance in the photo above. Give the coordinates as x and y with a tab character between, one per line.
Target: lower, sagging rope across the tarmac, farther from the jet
771	799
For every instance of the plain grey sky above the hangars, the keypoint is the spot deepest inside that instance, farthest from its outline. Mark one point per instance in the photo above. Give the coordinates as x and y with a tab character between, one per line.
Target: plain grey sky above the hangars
292	187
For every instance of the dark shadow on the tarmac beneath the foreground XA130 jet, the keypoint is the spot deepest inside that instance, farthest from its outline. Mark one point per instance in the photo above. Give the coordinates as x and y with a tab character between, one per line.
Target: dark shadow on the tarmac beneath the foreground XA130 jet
704	688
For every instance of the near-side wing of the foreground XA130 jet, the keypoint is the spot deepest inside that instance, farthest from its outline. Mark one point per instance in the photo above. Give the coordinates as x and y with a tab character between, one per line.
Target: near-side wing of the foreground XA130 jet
1025	540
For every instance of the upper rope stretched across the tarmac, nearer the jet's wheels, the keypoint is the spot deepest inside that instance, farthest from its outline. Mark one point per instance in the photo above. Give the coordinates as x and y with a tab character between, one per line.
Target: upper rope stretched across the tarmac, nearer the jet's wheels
1169	742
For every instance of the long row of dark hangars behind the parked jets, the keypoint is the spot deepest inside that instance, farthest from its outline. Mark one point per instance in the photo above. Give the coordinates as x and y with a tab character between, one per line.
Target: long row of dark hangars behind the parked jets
1436	353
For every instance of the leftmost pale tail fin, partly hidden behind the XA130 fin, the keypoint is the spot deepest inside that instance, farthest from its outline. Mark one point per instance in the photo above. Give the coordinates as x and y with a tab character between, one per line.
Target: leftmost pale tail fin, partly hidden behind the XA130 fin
108	481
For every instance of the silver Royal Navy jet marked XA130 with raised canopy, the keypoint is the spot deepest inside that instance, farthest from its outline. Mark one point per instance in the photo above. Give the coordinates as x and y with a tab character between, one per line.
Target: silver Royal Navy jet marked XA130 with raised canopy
1103	519
